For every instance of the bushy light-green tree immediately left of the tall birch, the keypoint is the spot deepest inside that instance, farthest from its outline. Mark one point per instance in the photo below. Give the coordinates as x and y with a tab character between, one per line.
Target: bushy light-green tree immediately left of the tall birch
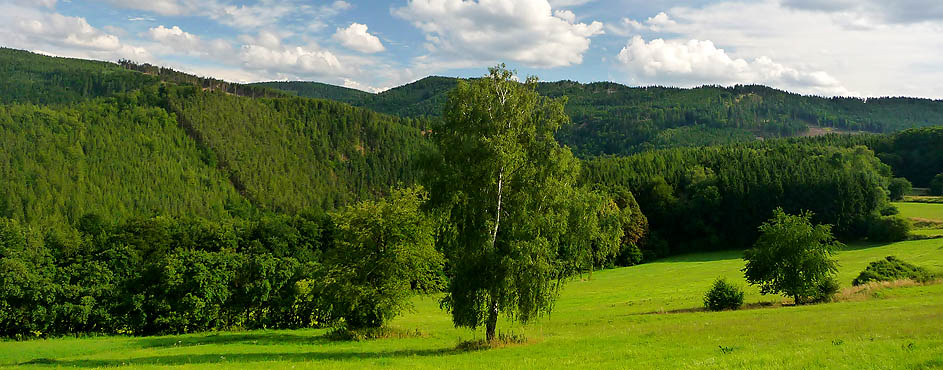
385	253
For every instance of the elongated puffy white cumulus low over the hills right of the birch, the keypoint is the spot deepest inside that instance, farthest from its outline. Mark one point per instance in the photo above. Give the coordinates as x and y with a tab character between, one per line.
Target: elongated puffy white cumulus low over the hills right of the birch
700	62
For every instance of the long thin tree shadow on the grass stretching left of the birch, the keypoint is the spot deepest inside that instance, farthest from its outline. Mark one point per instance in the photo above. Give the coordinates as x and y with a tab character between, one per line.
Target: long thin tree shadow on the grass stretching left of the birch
234	359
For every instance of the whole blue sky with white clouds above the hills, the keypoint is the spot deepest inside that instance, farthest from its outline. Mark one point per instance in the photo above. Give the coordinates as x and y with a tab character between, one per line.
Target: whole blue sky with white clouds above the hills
837	47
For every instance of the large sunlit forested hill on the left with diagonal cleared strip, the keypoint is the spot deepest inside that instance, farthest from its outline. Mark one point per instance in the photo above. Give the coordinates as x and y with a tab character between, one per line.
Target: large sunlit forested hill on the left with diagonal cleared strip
82	137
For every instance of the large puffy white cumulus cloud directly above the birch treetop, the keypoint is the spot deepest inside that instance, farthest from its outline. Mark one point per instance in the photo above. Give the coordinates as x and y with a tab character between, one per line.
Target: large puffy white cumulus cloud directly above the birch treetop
487	31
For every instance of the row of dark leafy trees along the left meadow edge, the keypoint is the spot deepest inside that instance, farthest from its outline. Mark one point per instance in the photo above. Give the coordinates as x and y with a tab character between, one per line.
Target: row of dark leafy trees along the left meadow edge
159	275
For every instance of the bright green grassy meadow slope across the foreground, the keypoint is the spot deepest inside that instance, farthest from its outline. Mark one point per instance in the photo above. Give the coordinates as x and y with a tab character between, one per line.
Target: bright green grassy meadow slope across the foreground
598	322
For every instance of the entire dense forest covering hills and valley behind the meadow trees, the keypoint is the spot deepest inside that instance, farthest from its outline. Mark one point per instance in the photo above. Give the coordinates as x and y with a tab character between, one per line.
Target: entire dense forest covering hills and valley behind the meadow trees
137	199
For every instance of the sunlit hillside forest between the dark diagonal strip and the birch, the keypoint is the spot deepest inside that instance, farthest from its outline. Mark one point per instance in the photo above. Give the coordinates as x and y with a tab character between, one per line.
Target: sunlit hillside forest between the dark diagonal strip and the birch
291	154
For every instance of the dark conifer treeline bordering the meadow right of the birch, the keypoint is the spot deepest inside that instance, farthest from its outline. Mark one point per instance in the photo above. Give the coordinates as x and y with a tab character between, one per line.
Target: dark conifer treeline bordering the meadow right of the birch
714	198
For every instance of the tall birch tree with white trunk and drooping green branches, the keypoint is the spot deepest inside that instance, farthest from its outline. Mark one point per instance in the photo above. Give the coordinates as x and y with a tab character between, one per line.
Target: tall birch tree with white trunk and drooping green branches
504	186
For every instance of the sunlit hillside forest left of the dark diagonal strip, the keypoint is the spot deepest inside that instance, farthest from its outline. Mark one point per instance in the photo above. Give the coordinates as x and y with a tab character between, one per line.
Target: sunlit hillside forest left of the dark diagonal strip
117	158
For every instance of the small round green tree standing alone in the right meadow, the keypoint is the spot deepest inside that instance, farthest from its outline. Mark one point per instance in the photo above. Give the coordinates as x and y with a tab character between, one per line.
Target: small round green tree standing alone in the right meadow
792	256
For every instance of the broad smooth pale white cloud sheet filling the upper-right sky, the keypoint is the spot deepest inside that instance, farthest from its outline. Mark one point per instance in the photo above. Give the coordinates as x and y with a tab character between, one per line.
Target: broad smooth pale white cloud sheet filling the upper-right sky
871	58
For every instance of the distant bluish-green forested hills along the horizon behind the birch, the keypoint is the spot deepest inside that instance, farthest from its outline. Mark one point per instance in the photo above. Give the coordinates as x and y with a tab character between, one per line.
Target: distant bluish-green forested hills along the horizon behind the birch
610	118
